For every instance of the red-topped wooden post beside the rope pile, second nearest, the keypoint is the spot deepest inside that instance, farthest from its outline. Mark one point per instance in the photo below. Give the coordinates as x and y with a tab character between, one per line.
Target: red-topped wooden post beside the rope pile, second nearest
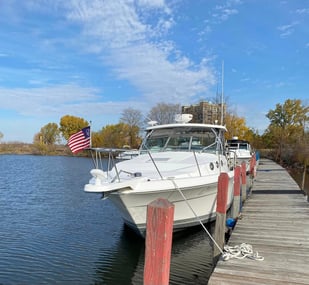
223	184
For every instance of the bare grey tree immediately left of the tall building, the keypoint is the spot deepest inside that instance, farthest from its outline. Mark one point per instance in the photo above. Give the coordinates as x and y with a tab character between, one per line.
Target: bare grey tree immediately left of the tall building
164	113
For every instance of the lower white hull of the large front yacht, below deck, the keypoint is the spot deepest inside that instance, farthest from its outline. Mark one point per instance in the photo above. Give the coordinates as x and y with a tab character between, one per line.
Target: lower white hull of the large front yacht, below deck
193	205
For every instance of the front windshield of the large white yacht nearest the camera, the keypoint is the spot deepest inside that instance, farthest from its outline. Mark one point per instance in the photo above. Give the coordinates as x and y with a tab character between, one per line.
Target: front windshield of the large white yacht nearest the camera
182	139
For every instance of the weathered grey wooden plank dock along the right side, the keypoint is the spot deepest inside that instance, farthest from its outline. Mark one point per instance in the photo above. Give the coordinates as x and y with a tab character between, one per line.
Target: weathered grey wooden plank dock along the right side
275	222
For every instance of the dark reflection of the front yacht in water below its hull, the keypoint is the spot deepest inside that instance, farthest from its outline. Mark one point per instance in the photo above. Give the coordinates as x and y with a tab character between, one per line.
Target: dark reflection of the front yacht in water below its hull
191	259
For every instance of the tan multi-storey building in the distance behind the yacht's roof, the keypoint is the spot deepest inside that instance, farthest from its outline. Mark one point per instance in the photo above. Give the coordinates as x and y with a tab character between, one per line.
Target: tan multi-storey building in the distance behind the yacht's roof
205	112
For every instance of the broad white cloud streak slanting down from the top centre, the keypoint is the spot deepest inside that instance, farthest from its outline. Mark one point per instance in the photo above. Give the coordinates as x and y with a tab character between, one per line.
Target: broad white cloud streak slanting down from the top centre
136	52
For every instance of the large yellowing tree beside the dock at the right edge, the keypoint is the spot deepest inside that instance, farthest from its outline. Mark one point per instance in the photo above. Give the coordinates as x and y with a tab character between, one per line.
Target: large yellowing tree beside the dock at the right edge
287	125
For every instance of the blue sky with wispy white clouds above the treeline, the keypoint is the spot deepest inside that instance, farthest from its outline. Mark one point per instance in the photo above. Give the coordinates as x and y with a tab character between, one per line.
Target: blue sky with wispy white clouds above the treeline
95	58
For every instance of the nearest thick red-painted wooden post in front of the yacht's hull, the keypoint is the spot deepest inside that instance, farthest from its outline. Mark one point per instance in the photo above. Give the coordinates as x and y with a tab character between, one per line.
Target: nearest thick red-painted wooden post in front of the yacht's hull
160	218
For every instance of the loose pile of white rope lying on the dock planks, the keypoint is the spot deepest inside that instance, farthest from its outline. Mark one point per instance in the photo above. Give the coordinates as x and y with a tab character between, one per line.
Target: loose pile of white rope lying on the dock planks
240	252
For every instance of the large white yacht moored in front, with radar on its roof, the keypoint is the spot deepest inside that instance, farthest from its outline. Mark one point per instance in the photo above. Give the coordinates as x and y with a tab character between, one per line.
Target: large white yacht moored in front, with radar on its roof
180	162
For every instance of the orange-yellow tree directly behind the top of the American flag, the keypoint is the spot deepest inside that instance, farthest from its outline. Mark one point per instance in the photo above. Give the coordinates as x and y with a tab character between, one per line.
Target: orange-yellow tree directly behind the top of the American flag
71	124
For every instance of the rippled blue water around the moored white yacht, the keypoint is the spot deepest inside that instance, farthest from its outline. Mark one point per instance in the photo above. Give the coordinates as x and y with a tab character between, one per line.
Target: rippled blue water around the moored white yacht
52	232
